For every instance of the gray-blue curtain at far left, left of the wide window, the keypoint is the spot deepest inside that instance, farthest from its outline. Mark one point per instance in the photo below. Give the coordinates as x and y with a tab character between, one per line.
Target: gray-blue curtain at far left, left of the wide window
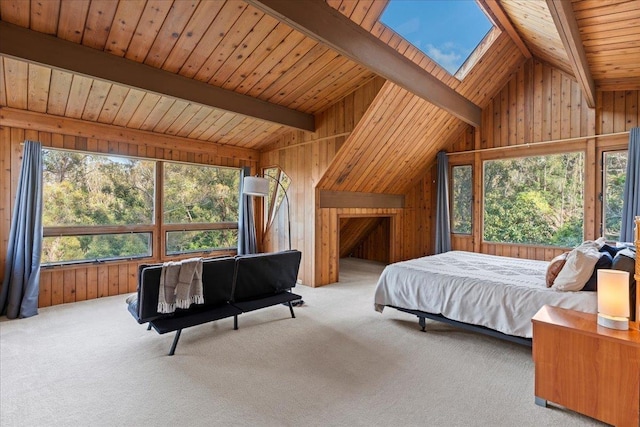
21	283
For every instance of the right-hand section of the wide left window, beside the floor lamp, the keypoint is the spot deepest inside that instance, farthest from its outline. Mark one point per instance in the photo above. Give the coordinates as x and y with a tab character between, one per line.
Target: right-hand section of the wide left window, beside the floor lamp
200	207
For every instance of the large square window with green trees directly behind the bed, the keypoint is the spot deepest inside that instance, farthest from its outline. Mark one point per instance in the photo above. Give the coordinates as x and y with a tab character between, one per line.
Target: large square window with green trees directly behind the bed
535	200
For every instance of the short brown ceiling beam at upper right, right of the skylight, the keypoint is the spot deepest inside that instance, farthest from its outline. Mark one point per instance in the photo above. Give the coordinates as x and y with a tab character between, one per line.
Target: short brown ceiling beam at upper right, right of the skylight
567	25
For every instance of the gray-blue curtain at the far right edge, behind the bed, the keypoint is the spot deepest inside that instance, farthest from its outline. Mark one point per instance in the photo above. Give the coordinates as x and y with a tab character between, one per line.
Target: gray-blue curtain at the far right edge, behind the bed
631	195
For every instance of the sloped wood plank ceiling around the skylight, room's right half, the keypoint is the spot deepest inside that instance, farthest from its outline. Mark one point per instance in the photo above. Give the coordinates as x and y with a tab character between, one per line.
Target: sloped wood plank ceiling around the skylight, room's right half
400	135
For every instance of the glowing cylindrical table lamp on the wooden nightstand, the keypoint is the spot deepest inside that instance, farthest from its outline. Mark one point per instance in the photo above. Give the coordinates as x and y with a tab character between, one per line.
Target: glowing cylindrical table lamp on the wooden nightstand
613	299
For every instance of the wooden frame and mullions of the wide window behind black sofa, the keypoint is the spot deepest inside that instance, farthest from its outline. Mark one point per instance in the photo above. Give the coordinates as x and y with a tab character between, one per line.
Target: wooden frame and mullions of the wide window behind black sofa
157	229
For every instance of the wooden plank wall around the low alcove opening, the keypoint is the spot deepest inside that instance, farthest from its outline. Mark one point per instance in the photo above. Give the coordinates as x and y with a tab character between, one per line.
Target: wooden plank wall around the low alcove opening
316	231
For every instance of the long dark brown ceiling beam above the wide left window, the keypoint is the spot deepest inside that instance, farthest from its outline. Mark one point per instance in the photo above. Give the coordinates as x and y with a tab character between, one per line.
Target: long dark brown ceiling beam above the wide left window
43	49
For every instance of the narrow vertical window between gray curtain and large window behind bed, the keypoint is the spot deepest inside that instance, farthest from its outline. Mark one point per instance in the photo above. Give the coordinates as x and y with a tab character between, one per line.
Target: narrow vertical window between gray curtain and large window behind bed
462	199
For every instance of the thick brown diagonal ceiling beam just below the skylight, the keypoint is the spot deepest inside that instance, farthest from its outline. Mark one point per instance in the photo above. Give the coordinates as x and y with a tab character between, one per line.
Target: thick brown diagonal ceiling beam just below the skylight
319	21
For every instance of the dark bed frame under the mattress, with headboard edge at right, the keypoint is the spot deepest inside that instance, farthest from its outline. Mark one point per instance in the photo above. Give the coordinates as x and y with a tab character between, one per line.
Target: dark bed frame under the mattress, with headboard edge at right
423	315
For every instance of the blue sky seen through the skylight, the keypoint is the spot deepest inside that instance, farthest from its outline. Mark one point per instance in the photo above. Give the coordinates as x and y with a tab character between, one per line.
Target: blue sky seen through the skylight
448	31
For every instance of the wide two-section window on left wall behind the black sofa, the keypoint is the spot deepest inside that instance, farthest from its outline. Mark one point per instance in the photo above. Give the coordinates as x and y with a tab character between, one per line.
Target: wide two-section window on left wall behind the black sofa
99	207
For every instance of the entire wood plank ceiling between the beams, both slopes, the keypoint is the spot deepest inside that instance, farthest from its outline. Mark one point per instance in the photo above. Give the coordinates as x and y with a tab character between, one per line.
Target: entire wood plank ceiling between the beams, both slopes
232	45
